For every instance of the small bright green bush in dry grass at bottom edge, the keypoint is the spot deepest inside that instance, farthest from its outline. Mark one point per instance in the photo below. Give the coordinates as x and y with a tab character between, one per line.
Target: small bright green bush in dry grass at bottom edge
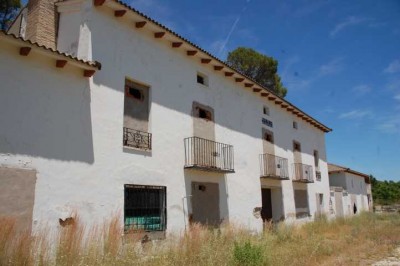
248	254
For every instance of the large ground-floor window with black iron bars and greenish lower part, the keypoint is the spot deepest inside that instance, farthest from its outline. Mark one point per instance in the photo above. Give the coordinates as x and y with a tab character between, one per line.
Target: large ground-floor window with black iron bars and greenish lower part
145	208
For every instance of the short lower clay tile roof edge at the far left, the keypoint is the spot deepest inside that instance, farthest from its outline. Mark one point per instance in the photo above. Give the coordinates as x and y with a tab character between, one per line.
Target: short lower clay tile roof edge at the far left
91	64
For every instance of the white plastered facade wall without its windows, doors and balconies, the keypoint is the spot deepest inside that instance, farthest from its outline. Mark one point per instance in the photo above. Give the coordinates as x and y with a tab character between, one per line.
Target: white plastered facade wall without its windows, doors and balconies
69	128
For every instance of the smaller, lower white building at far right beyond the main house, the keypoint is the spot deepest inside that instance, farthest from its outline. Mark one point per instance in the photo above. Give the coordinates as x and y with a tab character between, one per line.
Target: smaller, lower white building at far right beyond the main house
350	191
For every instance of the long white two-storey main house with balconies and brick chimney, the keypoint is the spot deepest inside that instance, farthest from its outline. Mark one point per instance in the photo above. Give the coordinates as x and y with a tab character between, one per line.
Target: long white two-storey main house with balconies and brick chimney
161	133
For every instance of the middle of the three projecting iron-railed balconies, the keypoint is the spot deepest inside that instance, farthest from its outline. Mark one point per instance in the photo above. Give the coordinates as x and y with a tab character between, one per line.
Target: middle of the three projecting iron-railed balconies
275	167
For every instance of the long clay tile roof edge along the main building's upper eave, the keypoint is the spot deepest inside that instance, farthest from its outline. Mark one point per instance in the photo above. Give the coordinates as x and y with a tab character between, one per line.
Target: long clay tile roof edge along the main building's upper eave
325	128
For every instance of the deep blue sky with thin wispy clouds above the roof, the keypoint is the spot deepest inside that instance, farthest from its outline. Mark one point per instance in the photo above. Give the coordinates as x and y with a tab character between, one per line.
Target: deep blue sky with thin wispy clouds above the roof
340	61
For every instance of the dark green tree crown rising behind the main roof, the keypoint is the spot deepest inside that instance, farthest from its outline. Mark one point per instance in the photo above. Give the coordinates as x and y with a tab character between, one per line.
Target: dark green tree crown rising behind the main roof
257	66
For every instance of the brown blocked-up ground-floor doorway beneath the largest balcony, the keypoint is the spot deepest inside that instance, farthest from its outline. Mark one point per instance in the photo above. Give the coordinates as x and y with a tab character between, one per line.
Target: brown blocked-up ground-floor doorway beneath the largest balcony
205	203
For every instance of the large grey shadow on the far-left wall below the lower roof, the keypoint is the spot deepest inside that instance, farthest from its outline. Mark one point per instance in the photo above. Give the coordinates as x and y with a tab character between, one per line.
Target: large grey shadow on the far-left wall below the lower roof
46	117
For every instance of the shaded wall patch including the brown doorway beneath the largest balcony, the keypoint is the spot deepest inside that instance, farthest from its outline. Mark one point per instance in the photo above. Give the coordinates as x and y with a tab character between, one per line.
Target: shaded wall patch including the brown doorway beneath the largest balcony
207	197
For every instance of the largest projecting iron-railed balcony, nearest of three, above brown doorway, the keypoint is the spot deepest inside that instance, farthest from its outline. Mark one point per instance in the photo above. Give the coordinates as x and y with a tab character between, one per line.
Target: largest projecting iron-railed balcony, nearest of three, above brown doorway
208	155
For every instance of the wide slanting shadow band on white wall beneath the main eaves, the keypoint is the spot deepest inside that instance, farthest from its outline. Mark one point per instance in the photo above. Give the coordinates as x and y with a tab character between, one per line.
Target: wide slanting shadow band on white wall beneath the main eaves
154	63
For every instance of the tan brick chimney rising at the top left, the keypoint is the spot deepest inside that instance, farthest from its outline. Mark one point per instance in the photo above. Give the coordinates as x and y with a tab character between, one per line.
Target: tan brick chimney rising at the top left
42	23
